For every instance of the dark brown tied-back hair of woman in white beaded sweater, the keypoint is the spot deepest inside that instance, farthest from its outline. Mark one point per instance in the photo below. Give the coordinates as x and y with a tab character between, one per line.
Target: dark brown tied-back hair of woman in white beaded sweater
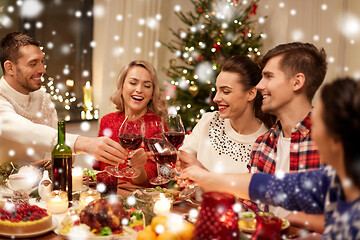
249	76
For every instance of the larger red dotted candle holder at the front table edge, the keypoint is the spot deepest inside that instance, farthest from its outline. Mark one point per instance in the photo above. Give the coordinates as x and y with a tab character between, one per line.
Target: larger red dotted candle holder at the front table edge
217	219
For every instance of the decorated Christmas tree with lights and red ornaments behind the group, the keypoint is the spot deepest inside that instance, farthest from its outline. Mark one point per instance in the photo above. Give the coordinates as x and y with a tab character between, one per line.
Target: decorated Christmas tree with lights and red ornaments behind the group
215	31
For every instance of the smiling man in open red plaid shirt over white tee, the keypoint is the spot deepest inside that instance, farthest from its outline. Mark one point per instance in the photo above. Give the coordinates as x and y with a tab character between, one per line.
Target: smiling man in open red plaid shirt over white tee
292	73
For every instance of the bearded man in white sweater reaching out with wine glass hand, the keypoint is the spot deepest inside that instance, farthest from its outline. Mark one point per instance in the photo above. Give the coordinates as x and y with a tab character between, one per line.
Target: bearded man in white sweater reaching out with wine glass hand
28	119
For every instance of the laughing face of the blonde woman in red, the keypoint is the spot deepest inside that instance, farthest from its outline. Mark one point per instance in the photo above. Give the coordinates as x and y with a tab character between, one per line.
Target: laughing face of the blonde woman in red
137	91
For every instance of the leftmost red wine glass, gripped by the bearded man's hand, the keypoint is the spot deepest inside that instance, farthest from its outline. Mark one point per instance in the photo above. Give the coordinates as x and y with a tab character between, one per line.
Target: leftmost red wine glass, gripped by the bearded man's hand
131	134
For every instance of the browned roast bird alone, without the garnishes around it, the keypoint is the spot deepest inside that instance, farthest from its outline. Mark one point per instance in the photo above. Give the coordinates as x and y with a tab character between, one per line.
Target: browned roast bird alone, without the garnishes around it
104	213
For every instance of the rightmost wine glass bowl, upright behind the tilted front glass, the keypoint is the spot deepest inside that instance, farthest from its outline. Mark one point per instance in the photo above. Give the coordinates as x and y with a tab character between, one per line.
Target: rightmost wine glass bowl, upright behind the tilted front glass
174	130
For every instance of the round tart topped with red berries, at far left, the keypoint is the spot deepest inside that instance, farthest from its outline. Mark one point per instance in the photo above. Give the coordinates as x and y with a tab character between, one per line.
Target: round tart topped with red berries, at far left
23	218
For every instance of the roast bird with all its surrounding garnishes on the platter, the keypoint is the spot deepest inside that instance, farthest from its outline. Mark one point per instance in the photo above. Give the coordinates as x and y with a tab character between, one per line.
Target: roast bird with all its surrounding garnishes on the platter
102	217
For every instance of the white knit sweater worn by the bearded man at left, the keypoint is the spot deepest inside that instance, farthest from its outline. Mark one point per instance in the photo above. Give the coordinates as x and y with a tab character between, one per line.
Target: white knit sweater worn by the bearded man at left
28	125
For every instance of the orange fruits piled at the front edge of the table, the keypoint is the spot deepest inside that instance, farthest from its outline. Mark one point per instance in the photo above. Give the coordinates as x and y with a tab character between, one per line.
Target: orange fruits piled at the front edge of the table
182	232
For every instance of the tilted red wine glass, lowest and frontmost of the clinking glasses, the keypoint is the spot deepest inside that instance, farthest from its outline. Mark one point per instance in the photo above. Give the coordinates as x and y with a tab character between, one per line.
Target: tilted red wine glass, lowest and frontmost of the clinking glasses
164	153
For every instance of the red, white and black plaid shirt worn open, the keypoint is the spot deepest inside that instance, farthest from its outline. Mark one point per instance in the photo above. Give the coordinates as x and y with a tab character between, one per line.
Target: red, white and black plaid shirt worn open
303	152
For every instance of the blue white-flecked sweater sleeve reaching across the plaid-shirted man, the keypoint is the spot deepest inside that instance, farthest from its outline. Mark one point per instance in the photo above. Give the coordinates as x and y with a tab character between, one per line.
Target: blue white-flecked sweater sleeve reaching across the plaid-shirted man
303	191
